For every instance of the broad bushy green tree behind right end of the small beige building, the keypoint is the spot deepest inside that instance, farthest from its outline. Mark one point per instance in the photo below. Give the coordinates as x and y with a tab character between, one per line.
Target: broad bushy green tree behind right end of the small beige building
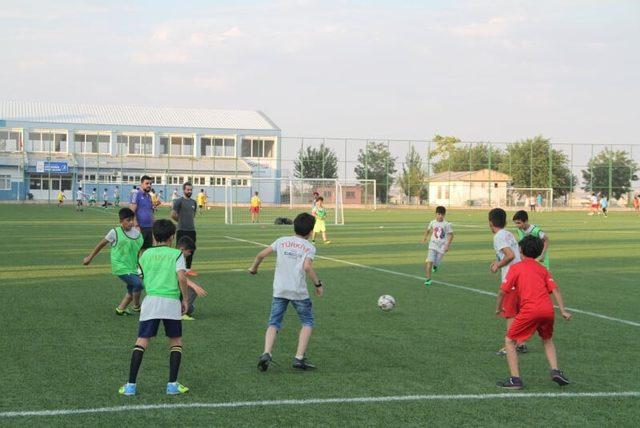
528	161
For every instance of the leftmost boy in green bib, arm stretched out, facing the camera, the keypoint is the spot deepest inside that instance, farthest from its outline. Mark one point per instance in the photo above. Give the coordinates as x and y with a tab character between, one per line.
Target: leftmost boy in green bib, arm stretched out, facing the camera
125	242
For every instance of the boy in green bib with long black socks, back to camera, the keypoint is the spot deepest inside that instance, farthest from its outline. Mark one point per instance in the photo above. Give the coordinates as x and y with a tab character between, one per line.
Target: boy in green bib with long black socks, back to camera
165	279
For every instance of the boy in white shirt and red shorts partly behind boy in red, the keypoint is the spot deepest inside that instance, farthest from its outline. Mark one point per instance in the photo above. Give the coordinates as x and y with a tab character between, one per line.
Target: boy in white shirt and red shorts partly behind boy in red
507	253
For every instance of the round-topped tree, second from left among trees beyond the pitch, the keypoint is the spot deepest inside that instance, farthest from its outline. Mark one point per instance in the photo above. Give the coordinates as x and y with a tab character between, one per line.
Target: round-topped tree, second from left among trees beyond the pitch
376	163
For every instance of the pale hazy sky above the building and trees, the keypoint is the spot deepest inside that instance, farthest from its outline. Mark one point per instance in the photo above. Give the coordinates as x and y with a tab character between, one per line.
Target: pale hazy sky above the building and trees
479	70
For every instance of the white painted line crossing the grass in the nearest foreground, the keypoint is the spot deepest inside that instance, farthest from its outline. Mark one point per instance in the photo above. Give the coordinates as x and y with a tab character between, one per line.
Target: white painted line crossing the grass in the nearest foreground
308	401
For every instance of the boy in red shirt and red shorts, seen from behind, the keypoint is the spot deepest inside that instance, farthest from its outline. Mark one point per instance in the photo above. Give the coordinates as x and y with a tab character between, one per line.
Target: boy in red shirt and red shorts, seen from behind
533	285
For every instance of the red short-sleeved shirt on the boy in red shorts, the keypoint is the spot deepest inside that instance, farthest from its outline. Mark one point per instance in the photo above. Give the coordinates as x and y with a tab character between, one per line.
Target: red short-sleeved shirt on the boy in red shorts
533	283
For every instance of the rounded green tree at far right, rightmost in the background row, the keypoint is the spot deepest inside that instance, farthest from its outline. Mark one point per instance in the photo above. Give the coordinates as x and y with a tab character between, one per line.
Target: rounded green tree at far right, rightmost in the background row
610	172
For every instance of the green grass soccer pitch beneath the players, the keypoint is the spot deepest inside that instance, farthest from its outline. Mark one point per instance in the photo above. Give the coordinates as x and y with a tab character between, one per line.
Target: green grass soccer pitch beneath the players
64	348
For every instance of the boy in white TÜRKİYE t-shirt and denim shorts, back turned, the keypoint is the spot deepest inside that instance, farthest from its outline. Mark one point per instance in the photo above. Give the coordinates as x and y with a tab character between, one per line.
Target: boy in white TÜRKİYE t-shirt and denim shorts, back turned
294	261
